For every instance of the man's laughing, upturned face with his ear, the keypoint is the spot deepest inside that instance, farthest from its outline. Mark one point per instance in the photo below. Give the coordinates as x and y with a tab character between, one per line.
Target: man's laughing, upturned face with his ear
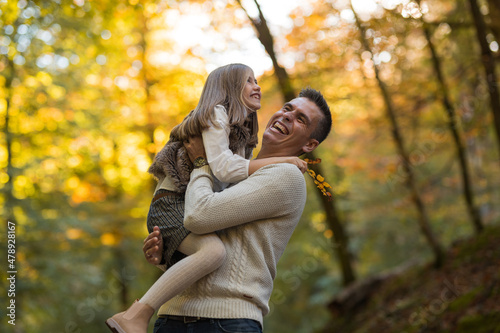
289	130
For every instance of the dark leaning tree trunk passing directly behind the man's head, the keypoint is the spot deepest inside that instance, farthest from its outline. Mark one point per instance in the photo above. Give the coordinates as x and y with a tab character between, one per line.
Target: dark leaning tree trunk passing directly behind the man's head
340	240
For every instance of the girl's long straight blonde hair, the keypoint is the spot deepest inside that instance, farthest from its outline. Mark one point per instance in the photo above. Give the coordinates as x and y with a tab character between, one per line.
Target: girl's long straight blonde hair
224	86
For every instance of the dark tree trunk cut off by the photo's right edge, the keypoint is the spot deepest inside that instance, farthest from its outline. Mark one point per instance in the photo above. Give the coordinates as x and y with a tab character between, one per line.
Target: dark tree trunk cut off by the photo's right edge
489	67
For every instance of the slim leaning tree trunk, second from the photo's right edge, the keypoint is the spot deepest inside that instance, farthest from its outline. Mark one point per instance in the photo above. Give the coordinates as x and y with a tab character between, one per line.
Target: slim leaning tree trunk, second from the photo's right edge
453	126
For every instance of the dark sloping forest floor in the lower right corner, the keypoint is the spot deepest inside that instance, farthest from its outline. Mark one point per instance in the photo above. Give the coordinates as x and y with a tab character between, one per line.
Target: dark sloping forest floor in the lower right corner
461	297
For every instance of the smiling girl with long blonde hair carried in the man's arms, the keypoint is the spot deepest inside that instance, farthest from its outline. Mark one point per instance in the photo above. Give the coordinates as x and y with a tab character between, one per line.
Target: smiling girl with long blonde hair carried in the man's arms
226	119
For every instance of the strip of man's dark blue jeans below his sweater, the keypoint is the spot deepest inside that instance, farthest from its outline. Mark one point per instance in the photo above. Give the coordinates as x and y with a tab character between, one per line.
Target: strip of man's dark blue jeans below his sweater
164	325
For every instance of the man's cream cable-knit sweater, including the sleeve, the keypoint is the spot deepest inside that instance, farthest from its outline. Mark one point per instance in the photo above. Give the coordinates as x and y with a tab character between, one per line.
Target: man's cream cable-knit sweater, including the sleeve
255	218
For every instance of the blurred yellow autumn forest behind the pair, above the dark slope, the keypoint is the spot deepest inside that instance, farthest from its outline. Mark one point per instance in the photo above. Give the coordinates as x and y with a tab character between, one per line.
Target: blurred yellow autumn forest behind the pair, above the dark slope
89	91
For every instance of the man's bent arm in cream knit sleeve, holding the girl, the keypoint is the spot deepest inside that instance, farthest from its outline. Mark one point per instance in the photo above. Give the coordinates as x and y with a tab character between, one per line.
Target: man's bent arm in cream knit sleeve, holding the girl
272	191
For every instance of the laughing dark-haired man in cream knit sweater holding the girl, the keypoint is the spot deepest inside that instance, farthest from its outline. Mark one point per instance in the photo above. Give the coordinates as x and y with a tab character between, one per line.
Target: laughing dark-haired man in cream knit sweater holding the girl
254	218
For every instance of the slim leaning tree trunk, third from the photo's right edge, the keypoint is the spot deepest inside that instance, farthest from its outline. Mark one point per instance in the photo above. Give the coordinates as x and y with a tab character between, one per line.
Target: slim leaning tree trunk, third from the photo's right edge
423	219
